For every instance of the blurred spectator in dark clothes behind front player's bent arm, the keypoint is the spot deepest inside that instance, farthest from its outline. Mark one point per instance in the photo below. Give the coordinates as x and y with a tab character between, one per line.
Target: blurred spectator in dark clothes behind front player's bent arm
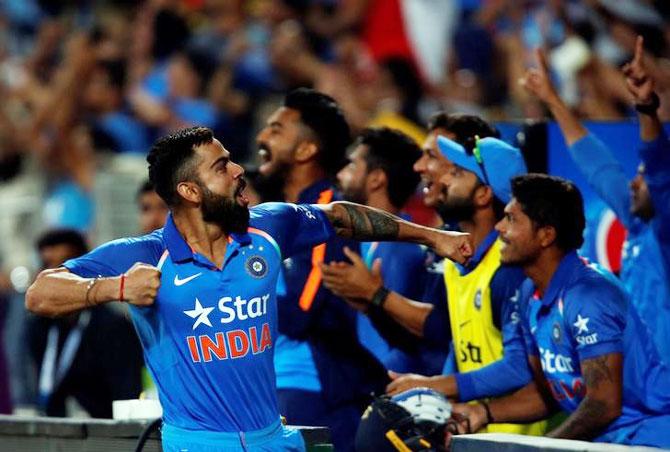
74	355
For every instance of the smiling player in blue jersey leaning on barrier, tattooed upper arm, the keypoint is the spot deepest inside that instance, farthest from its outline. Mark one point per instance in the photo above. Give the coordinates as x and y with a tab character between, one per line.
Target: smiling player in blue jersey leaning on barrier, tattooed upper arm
590	354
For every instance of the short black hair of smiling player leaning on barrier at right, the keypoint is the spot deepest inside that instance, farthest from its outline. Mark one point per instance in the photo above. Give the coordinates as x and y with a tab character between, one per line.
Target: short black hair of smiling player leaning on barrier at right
552	201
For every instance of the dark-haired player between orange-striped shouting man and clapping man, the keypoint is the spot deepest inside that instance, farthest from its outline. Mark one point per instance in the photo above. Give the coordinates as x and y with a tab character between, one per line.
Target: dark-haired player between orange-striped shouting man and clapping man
379	174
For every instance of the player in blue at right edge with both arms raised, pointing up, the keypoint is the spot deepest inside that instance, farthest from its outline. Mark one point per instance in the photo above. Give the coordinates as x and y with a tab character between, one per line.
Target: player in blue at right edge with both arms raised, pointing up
643	205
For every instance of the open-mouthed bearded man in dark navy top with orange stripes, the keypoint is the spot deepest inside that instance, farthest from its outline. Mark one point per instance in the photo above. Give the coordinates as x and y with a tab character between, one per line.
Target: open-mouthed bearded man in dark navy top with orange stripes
324	375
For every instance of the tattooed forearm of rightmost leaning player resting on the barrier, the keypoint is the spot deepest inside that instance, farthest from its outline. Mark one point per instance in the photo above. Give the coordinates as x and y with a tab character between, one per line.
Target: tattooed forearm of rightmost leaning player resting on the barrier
586	422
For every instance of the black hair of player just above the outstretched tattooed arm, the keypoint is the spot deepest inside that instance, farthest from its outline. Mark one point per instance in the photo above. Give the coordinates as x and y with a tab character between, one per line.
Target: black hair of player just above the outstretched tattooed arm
394	153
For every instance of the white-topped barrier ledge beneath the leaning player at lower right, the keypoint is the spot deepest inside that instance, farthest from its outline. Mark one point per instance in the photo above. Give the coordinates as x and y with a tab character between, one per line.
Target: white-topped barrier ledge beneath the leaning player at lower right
502	442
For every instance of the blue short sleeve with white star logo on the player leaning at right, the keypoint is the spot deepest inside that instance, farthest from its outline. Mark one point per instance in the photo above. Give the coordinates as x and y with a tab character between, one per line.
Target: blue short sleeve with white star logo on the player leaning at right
595	316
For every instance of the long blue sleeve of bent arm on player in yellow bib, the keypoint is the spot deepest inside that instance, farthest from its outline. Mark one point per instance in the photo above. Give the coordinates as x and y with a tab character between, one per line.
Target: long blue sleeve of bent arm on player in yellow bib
485	382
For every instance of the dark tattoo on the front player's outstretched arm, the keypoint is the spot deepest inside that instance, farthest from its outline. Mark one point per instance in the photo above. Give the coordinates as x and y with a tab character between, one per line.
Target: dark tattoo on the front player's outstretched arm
363	223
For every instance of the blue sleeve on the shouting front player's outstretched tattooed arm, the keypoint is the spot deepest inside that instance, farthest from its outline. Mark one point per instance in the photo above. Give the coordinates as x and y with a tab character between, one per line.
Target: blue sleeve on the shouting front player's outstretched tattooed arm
295	227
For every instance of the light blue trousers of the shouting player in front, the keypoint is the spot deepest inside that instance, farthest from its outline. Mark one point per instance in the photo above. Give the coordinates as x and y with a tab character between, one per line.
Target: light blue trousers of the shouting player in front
272	438
